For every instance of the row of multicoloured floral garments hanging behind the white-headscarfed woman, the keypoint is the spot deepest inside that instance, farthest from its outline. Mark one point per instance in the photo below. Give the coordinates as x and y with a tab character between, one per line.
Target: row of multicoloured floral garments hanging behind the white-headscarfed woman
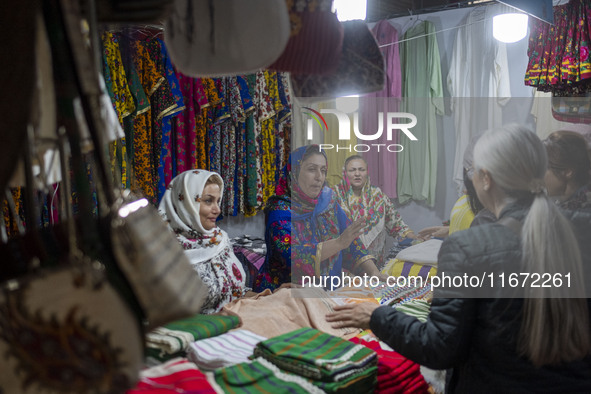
238	126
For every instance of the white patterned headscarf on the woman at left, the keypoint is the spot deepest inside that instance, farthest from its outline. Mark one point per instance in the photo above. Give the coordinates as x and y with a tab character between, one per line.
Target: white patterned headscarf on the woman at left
180	208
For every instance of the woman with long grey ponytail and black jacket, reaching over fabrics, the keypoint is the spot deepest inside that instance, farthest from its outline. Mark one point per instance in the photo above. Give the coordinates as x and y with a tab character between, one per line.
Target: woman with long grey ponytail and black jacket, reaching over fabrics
496	325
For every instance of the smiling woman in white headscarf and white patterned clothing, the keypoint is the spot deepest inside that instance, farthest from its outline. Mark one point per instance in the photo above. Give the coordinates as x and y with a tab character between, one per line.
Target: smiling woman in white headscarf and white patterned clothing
191	206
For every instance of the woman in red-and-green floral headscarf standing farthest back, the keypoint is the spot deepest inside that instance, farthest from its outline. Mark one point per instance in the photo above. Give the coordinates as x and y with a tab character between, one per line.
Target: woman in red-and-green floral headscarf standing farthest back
360	199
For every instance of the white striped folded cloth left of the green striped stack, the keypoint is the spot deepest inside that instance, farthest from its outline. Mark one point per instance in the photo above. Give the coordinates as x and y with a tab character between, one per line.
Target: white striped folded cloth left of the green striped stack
231	348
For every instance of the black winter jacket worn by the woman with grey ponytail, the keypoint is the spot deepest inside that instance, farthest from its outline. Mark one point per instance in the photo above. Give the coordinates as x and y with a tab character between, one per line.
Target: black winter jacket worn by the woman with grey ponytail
477	336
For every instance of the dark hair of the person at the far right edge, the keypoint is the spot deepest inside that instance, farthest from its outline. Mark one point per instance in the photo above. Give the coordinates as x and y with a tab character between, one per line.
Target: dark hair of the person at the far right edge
568	150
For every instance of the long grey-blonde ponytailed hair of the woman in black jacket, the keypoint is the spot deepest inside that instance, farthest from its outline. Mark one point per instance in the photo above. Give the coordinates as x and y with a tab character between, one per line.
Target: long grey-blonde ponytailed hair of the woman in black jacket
554	328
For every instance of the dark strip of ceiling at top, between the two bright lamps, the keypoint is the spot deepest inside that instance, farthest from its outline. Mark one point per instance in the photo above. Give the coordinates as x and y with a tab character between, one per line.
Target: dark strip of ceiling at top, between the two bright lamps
388	9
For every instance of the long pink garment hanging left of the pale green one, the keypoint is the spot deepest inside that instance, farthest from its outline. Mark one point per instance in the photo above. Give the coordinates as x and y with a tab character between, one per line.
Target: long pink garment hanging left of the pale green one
382	166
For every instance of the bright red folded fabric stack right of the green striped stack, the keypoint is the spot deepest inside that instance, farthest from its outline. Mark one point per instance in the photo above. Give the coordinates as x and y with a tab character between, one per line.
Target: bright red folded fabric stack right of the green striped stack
396	373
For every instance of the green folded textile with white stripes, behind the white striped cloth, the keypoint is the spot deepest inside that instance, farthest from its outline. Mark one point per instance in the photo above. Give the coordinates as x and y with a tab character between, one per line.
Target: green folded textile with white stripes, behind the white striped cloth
173	339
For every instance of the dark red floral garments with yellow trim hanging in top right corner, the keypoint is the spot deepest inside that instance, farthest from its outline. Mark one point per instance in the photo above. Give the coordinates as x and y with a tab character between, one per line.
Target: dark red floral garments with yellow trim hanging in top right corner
559	54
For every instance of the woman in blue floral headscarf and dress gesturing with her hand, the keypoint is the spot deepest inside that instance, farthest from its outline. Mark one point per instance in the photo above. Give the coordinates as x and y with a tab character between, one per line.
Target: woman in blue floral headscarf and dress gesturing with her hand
307	233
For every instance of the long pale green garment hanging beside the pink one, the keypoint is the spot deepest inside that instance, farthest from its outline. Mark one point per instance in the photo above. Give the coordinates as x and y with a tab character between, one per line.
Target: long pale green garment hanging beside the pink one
422	89
